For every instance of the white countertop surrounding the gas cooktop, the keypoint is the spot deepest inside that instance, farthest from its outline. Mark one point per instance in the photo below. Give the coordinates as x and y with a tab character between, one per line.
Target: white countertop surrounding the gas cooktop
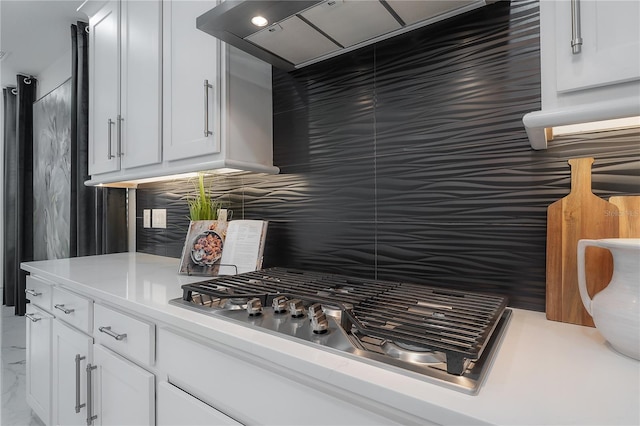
545	372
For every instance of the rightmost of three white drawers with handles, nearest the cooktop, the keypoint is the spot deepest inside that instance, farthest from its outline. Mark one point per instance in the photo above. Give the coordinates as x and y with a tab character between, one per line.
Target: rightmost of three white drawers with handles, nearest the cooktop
129	336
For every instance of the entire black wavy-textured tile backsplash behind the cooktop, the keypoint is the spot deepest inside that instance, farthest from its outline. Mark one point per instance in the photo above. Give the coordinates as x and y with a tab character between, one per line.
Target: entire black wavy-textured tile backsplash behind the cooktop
407	160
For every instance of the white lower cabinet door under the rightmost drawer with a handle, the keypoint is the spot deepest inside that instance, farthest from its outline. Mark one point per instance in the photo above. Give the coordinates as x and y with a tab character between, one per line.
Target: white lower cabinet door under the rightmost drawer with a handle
124	394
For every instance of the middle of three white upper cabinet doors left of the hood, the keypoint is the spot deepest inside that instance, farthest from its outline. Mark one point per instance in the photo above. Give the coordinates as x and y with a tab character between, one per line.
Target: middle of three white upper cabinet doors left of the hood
141	85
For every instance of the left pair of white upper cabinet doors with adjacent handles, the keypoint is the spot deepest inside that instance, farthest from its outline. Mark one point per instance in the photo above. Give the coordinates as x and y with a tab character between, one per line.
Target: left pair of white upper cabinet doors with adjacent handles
125	86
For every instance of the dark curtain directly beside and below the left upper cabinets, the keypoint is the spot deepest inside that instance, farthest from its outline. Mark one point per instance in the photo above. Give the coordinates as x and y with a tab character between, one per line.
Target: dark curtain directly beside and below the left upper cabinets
98	215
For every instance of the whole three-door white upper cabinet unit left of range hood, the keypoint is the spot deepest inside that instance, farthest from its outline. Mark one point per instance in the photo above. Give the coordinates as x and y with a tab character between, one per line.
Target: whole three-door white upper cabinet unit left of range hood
167	98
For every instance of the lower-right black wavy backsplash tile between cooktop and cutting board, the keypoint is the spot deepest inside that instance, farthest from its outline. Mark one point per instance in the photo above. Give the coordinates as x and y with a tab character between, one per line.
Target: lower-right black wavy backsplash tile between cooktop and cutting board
494	257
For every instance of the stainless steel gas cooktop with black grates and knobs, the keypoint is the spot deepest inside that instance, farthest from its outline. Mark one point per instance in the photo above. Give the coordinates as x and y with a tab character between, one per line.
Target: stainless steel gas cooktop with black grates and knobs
443	336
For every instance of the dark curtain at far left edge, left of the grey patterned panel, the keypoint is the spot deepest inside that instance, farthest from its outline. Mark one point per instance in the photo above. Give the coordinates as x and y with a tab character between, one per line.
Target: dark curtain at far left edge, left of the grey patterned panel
18	202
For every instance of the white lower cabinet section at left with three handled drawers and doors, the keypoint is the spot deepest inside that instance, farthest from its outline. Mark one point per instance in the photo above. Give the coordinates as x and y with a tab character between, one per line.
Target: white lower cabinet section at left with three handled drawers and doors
73	381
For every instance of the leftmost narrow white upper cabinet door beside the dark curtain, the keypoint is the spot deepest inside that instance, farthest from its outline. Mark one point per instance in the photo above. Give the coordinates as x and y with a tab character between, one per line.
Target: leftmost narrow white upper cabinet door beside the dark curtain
104	89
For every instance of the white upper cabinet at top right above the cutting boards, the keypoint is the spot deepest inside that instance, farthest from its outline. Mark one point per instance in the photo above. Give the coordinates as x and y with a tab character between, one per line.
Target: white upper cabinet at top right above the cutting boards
600	80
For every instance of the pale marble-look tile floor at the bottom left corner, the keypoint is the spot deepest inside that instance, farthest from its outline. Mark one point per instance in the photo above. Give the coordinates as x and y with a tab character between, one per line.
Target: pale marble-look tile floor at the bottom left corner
14	410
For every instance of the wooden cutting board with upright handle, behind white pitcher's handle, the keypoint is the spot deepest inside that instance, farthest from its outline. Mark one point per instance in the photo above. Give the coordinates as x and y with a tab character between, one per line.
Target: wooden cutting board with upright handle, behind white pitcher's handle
579	215
